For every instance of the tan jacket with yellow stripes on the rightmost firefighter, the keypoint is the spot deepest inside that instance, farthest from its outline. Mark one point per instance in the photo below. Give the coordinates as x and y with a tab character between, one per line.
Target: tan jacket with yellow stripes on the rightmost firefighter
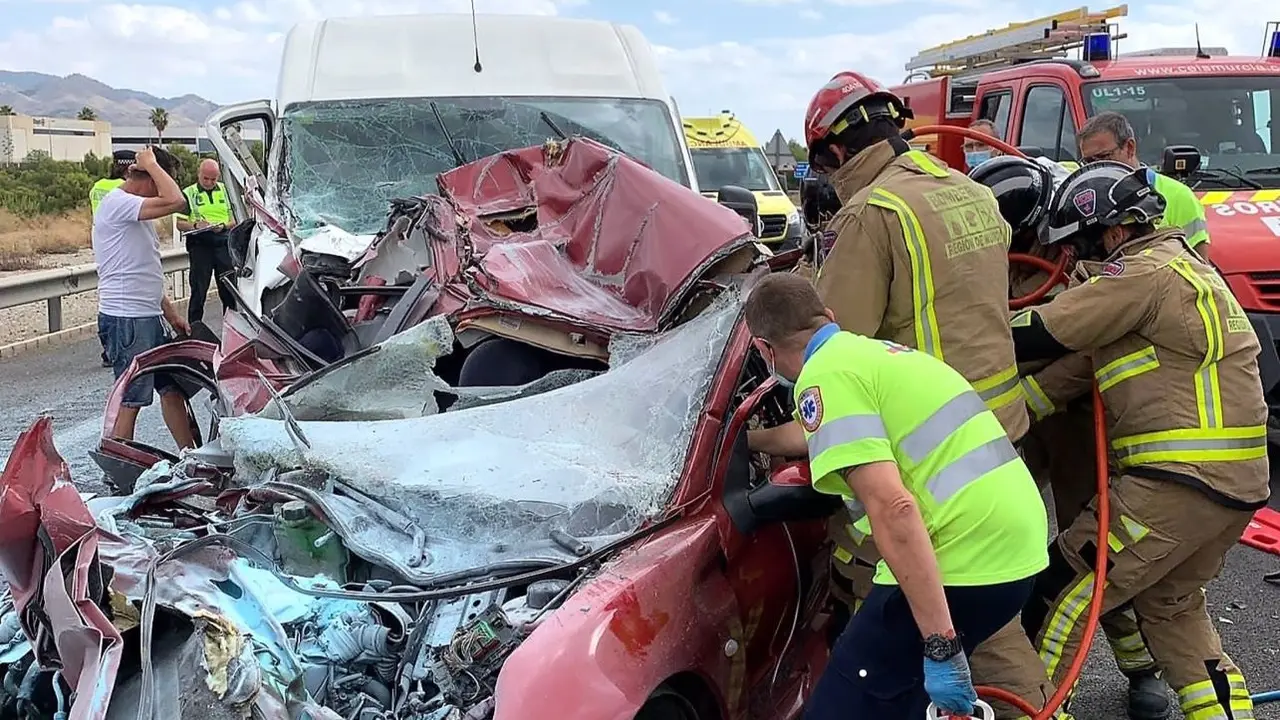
1176	359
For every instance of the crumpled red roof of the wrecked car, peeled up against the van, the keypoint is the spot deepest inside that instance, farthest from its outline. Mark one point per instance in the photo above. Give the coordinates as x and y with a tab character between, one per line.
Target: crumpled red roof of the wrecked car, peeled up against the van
612	244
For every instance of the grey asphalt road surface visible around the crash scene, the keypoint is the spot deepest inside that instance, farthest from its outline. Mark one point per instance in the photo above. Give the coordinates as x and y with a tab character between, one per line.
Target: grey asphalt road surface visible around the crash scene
70	385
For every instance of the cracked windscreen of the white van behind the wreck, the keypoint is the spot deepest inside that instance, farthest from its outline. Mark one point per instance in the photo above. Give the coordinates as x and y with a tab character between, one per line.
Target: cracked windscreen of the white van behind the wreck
346	161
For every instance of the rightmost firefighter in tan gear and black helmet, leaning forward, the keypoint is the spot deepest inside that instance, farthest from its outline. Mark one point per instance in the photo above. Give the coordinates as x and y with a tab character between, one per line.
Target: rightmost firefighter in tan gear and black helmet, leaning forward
1176	361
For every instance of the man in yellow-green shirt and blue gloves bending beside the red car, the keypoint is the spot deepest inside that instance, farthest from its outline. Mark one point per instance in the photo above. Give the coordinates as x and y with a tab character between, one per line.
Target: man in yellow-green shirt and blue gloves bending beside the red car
920	459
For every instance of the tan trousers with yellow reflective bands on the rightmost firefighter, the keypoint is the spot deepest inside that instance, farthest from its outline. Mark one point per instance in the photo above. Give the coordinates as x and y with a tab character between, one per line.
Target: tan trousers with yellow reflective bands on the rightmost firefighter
1167	543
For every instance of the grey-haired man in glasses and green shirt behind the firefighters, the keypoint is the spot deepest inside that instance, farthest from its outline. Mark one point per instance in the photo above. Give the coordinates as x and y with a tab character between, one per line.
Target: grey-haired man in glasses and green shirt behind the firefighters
1109	136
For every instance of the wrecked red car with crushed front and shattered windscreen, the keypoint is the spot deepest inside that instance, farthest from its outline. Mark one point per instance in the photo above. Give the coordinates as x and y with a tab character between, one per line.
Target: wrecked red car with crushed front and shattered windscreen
369	536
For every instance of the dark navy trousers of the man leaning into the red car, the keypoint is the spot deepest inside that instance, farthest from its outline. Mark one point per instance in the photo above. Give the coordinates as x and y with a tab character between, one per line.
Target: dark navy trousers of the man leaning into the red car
877	668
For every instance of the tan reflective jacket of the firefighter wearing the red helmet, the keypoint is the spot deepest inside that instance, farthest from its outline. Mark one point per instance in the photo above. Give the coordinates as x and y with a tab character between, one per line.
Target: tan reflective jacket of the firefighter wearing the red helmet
921	259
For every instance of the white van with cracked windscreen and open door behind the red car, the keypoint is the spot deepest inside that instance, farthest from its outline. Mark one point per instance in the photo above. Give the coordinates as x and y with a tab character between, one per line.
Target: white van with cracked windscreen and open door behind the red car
372	110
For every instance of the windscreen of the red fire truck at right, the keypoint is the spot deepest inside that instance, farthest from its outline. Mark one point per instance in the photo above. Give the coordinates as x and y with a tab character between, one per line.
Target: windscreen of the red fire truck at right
1228	119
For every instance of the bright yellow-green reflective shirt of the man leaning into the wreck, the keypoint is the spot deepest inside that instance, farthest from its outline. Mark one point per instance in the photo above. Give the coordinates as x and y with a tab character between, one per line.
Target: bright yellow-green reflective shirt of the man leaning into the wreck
863	400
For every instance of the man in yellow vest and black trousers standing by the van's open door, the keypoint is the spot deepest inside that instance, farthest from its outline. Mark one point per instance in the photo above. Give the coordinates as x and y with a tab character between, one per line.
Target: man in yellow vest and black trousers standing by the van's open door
211	258
